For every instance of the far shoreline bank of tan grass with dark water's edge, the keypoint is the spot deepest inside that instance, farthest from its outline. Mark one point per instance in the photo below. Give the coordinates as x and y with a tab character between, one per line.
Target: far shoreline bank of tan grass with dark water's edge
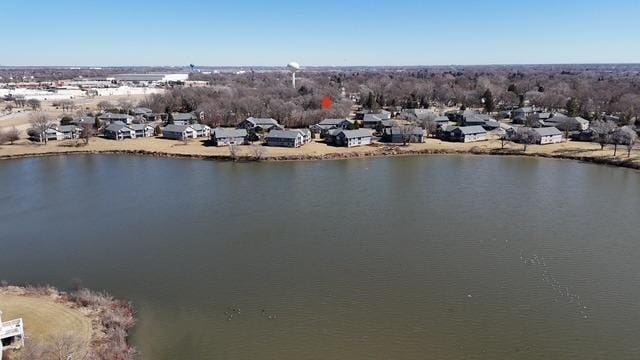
584	152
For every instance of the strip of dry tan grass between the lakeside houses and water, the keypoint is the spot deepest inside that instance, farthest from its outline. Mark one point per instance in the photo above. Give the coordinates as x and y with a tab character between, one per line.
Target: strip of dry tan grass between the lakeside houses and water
317	150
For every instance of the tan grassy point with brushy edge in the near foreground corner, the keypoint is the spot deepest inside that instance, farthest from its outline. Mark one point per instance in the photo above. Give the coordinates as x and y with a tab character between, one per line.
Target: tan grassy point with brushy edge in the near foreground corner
82	324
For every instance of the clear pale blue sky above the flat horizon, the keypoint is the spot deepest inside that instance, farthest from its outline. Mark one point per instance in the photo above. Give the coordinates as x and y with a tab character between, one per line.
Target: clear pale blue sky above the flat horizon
330	32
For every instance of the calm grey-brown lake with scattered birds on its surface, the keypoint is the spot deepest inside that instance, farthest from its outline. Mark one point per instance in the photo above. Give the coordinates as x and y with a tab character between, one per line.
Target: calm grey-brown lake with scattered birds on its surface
472	257
